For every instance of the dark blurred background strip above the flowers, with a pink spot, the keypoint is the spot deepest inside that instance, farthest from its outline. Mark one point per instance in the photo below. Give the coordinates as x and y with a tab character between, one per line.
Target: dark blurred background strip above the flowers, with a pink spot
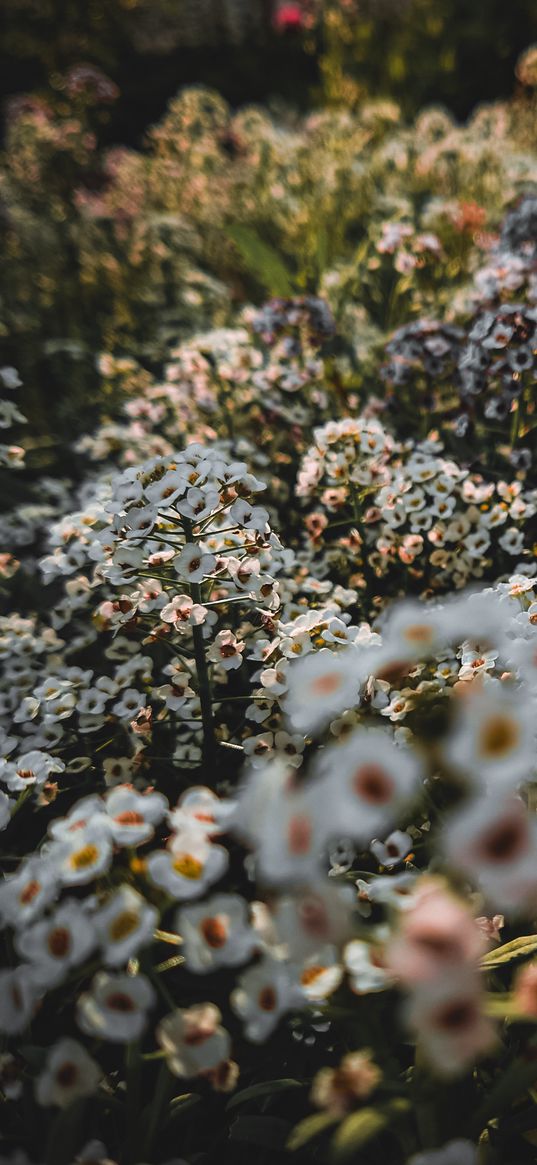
416	52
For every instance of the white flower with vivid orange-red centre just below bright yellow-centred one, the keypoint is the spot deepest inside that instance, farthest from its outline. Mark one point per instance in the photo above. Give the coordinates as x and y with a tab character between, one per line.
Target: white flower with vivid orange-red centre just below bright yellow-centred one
216	934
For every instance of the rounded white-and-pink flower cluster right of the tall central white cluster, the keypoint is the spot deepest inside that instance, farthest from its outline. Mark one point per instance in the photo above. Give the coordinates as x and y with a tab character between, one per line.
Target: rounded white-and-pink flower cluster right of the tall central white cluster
407	505
